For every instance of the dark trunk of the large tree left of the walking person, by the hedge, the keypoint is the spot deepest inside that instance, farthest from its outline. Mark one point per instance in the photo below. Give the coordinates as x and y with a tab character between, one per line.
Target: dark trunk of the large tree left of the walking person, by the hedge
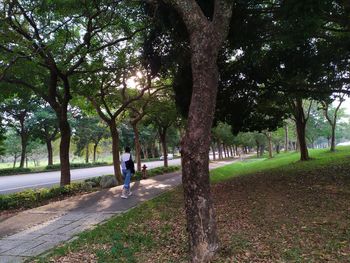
64	148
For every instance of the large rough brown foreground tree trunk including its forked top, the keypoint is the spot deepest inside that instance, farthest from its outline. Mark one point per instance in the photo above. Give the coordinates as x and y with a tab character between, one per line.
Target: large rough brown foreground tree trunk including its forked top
206	38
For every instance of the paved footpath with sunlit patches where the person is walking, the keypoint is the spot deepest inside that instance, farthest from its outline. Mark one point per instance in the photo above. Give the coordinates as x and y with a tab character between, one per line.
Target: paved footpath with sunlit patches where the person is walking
34	231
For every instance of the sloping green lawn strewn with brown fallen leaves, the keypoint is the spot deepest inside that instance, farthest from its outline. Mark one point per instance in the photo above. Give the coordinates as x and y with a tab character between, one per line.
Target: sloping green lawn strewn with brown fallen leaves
281	210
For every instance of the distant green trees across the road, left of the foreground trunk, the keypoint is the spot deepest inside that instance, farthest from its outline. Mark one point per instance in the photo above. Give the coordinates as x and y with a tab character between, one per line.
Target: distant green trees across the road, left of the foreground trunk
30	124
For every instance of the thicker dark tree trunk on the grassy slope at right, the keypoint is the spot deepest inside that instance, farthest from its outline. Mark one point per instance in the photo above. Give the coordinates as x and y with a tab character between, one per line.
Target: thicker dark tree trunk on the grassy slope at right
300	122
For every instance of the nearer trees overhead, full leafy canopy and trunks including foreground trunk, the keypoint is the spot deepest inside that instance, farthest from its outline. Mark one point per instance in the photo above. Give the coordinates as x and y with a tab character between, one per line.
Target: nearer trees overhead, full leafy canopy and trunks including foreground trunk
275	59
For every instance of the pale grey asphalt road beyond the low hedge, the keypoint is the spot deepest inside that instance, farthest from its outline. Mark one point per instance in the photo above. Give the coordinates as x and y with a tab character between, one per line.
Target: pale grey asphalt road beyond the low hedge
16	183
